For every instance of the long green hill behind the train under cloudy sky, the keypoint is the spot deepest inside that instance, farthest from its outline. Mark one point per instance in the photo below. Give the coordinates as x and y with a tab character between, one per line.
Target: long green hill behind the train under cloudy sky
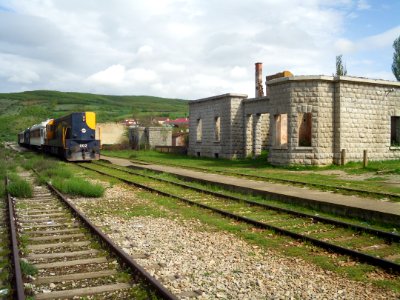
21	110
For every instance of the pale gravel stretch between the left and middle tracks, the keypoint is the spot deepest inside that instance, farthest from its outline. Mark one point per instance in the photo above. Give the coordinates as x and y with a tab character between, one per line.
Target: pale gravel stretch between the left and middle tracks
194	262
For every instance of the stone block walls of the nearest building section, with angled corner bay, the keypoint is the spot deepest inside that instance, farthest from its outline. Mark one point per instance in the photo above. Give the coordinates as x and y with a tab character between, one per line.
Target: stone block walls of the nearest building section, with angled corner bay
347	113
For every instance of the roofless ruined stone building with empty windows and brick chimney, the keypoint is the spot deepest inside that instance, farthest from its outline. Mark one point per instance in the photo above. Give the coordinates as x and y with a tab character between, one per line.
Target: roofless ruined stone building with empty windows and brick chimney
302	120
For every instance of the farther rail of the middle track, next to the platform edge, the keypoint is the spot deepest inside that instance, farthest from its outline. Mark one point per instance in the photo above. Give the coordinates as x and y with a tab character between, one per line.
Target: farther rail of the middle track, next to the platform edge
380	233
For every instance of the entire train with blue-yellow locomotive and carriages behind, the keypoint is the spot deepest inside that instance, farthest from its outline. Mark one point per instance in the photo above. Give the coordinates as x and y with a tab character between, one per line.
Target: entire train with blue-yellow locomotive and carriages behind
72	137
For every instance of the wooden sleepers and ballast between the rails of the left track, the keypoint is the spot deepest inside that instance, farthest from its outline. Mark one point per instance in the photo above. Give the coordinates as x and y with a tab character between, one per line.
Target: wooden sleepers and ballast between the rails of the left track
60	259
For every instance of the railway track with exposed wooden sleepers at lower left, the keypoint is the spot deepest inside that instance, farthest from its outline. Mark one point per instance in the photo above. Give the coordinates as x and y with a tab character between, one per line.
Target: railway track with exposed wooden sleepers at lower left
64	256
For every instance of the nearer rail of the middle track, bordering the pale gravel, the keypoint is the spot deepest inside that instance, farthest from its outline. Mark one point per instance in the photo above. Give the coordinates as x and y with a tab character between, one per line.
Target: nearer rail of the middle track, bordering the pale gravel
373	260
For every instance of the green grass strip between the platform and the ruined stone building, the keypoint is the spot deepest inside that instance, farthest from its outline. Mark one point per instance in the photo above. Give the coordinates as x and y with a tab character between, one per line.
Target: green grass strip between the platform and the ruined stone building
379	176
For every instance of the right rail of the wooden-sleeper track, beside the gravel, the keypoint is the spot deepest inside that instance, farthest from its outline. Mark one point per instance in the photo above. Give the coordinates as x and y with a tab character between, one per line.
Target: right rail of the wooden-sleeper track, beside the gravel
138	270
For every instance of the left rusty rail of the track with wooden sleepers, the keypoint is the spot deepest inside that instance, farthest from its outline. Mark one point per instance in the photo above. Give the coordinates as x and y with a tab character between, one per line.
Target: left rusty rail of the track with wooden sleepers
17	274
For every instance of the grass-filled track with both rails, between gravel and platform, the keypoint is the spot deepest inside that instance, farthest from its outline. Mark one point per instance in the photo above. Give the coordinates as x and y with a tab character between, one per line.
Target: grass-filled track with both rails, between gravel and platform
372	246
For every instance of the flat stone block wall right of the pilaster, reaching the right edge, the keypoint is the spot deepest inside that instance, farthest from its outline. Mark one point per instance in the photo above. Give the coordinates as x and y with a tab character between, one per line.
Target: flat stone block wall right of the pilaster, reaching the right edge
366	108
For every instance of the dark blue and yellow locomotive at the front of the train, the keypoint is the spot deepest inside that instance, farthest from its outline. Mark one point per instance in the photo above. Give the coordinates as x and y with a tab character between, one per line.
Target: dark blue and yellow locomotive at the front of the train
73	137
